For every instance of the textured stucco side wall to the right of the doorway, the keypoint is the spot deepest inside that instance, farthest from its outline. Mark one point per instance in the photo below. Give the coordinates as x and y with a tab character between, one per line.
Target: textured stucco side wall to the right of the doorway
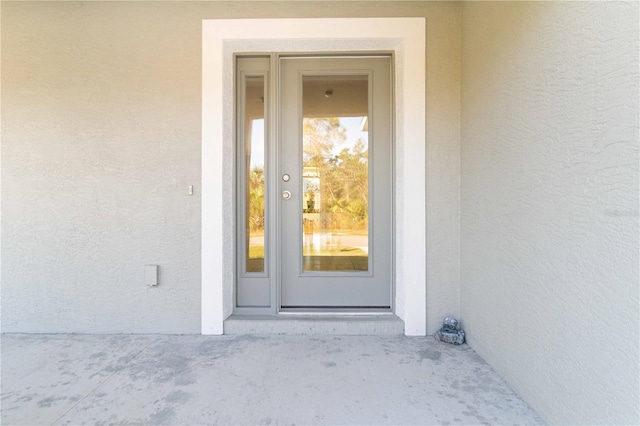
550	249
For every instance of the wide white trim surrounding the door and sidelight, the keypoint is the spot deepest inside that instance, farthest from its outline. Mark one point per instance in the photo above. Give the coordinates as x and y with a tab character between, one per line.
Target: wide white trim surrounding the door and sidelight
220	40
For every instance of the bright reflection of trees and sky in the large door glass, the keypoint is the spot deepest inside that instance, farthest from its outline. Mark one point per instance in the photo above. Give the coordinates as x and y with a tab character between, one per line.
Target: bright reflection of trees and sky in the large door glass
336	191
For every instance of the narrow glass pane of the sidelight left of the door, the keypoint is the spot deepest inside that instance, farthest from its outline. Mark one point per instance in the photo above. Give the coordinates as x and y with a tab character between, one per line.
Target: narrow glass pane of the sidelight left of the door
254	173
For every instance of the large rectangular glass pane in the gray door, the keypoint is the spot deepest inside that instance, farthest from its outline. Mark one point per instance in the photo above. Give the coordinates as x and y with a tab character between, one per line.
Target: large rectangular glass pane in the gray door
335	173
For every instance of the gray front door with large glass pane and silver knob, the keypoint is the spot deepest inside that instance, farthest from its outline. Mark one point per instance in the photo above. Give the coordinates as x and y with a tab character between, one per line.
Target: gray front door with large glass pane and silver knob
335	183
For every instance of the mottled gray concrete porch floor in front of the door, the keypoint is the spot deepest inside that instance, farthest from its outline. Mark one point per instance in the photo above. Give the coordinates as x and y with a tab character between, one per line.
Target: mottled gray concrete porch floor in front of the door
191	379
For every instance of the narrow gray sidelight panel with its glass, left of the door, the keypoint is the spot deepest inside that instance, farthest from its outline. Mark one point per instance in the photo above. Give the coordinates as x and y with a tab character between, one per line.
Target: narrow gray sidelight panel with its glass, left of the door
252	183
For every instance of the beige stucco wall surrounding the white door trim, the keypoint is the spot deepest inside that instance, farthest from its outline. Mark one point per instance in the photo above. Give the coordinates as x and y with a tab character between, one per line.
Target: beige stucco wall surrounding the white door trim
101	127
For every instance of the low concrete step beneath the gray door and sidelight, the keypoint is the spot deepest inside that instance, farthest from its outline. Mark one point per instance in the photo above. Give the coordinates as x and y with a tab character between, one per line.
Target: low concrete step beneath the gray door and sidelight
336	324
